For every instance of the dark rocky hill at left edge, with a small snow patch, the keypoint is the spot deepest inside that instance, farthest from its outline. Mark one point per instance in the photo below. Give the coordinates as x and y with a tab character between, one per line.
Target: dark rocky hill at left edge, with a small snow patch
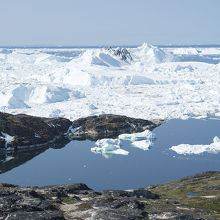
29	130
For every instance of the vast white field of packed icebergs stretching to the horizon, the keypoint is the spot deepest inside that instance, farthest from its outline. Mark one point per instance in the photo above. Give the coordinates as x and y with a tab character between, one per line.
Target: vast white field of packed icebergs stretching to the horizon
157	83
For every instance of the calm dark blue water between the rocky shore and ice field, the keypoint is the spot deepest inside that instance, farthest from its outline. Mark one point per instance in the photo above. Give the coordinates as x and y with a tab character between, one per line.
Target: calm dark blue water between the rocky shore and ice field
76	163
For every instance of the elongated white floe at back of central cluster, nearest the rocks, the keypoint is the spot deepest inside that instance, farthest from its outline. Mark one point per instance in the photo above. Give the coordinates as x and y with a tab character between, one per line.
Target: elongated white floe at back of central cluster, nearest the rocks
145	135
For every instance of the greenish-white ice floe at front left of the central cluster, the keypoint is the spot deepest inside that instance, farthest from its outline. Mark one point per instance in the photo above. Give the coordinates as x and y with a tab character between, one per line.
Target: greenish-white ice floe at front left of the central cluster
108	146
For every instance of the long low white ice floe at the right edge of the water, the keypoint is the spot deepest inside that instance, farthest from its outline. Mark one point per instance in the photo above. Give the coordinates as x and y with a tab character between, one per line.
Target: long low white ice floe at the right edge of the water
213	148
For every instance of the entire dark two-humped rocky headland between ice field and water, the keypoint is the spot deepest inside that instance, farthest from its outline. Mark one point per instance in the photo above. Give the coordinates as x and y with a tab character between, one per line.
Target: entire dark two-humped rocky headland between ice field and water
24	131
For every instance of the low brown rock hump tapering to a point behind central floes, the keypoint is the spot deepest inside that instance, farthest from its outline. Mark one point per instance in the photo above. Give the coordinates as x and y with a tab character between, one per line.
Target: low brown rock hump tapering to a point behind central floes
108	125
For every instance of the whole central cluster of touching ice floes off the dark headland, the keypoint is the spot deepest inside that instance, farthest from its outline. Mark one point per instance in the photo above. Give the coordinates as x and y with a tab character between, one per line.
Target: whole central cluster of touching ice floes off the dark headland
106	147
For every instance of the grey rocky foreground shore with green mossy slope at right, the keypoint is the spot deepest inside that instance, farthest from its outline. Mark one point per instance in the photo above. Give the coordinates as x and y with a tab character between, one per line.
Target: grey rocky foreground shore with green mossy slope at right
195	197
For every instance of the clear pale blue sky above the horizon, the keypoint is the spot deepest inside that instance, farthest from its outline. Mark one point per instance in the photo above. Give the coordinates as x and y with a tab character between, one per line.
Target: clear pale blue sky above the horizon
108	22
